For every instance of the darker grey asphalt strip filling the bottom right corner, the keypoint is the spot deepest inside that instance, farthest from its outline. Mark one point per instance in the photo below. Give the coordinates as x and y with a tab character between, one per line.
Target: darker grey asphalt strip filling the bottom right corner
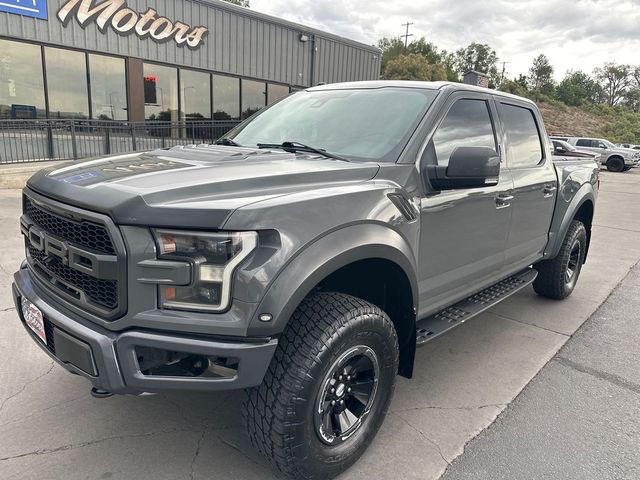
580	417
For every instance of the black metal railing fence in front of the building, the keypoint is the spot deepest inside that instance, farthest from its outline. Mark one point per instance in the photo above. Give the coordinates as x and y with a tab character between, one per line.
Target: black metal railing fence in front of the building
40	140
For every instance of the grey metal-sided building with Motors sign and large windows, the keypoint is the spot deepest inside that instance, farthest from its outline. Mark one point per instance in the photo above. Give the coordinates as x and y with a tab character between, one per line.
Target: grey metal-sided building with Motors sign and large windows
170	60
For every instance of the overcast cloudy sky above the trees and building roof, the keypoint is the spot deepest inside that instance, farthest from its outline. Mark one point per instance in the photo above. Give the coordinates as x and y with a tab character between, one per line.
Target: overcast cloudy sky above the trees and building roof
575	35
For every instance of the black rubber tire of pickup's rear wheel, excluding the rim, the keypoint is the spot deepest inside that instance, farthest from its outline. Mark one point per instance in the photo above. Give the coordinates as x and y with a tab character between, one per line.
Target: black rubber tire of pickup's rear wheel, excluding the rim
552	281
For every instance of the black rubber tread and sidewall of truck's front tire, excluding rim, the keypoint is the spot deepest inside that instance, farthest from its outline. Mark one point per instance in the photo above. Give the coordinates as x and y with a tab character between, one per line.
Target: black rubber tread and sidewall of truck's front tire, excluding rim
279	414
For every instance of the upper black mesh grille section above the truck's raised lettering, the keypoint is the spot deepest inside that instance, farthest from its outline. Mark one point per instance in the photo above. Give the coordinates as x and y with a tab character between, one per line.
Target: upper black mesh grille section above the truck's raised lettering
83	233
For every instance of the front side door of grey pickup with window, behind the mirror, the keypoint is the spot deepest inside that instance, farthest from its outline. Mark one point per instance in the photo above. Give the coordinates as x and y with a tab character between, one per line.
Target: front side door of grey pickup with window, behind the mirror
463	232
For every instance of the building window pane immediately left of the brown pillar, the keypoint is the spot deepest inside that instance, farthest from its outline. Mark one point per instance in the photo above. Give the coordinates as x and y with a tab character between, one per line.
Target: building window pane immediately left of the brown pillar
108	88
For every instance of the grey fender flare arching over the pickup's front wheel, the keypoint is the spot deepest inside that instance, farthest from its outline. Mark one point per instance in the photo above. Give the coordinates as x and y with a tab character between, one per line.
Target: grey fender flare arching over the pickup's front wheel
324	257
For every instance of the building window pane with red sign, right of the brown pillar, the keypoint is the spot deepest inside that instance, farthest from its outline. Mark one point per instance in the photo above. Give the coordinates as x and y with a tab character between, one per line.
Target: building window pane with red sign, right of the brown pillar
160	93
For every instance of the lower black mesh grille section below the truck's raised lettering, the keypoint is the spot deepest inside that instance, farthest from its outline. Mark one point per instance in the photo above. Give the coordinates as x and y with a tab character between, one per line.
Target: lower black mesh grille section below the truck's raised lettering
101	292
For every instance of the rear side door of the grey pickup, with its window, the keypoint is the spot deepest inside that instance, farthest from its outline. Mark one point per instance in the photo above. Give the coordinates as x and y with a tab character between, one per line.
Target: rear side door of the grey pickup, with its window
534	182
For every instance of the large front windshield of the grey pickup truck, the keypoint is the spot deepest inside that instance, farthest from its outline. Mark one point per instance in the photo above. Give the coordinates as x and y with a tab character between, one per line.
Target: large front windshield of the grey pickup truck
360	124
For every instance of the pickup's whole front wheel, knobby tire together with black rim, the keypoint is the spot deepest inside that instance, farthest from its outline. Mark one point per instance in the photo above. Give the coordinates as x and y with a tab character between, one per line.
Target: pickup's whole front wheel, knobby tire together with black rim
328	387
